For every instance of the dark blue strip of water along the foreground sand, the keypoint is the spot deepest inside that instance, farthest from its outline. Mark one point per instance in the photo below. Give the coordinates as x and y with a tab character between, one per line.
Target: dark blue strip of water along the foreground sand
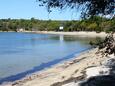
40	67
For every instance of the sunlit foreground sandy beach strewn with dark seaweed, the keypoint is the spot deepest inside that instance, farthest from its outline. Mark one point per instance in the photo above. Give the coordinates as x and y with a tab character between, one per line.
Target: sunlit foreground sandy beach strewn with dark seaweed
63	72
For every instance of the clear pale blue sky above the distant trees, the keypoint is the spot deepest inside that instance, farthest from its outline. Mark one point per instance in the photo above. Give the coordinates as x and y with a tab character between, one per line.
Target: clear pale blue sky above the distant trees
26	9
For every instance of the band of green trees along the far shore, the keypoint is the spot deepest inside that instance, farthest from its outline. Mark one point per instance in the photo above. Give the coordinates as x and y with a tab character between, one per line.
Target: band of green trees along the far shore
94	23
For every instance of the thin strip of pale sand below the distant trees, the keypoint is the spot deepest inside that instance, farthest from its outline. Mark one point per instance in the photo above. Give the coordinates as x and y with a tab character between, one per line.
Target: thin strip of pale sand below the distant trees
79	34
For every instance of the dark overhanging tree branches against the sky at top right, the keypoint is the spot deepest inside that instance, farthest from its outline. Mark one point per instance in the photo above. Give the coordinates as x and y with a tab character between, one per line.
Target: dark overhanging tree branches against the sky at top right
88	7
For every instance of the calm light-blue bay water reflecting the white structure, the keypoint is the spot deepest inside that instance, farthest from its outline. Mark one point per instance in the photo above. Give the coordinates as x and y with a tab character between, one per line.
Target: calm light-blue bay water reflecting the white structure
20	52
